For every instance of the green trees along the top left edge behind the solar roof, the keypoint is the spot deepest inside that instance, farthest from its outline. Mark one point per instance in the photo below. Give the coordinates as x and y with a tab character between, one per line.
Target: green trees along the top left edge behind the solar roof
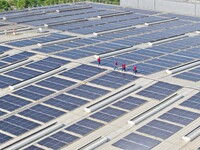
6	5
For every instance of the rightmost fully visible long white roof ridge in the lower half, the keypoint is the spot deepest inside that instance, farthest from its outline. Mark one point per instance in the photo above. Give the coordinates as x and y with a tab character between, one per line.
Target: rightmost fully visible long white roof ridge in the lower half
155	109
